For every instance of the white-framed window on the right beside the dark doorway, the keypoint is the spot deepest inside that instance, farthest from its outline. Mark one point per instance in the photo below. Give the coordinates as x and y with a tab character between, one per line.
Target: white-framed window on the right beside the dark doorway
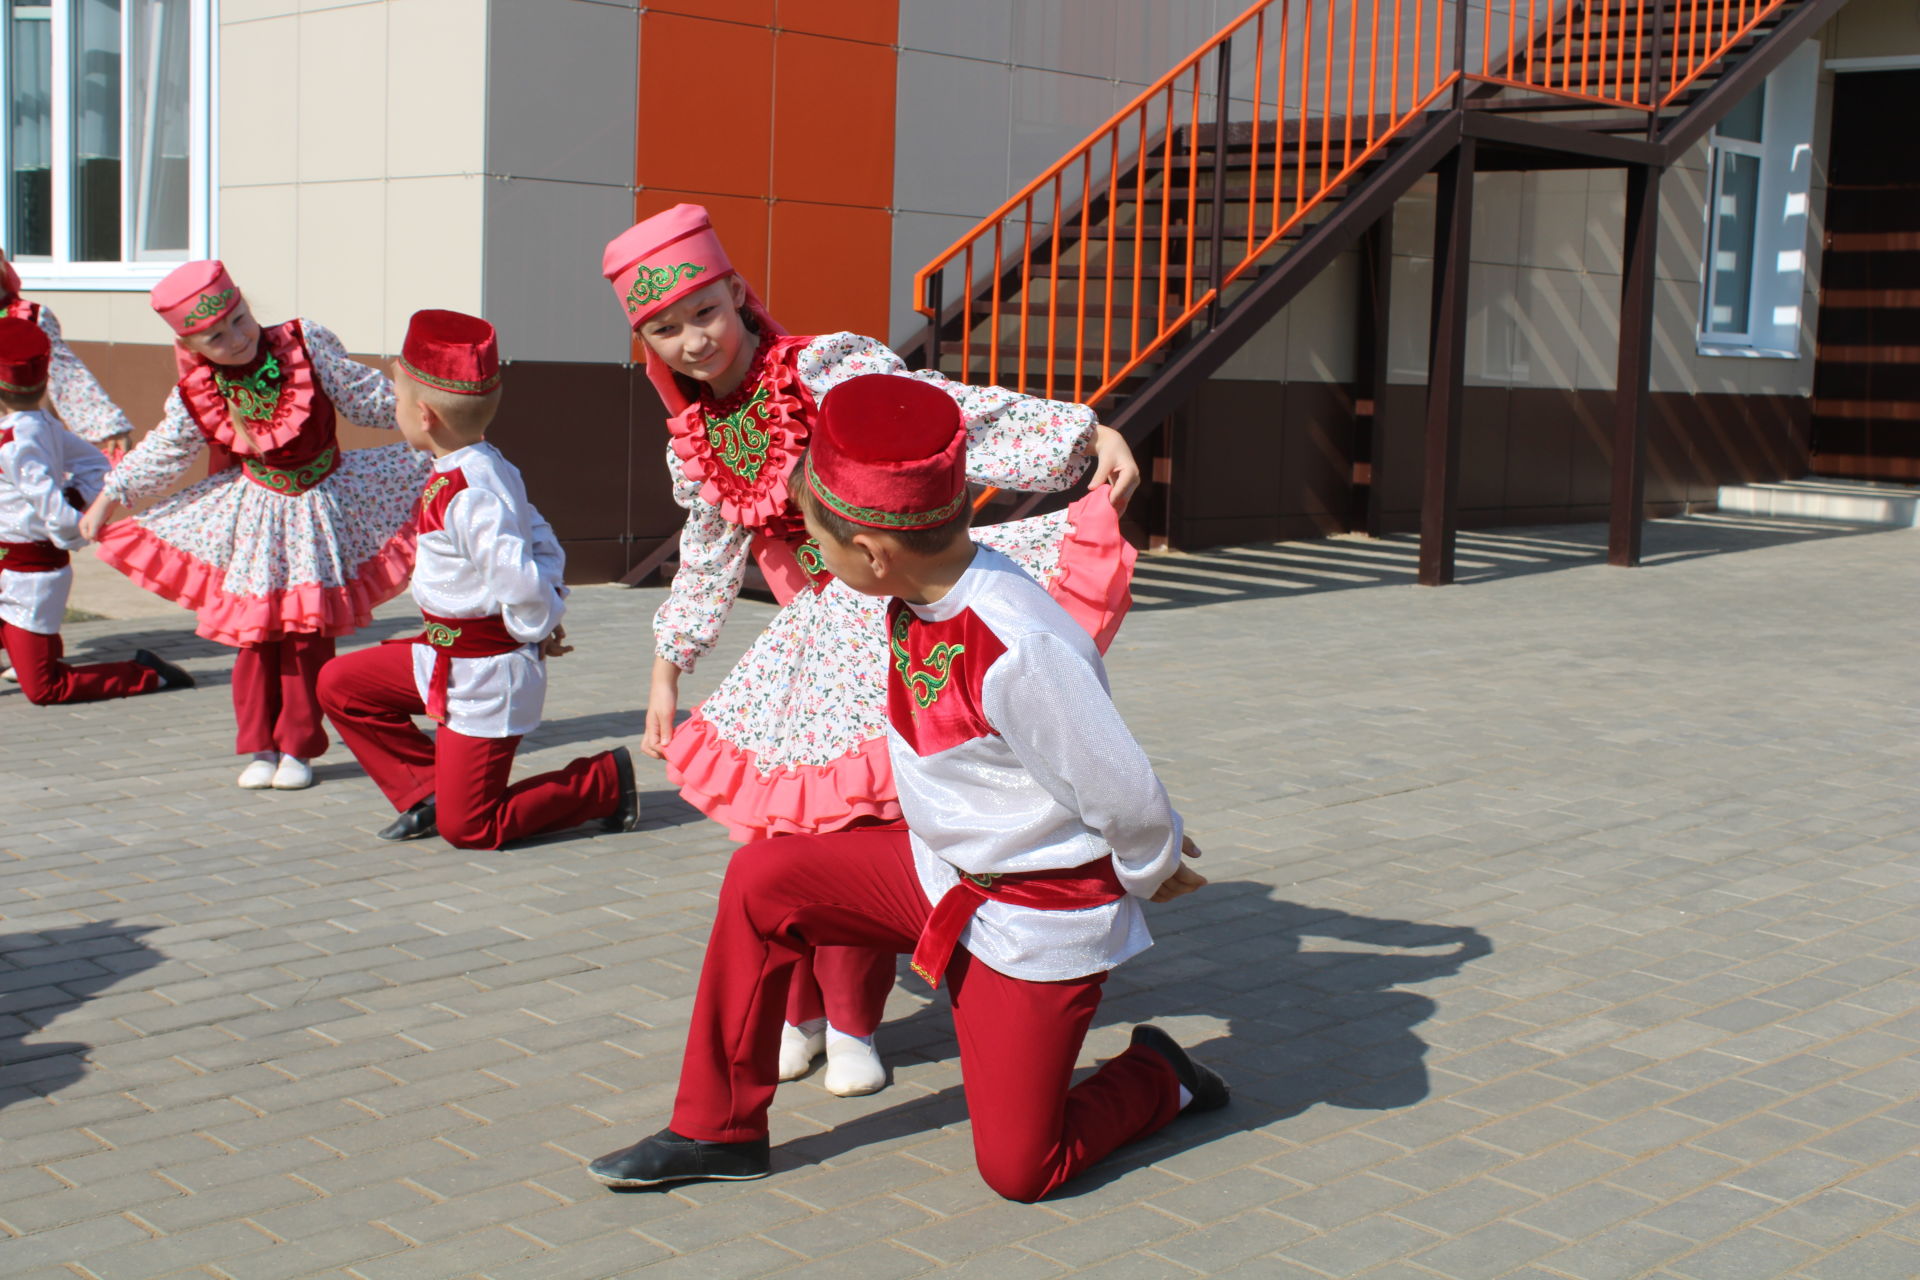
1760	176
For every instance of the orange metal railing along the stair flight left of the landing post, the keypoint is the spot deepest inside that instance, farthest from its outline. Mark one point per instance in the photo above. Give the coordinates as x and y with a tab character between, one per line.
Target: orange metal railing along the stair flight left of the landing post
1316	89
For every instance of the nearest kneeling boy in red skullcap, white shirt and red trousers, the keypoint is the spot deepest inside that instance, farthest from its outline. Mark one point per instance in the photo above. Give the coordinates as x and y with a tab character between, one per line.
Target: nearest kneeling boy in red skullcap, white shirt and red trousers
1034	828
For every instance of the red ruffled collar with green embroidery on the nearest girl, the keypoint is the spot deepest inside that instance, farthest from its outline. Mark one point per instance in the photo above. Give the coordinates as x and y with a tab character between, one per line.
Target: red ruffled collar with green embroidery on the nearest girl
744	448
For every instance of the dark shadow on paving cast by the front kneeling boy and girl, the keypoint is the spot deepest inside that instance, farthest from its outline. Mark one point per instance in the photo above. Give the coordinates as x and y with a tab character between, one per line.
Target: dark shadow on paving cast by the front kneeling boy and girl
1305	1026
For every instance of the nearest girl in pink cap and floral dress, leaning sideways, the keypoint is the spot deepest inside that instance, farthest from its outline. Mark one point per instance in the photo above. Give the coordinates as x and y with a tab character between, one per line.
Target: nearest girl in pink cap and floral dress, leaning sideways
794	740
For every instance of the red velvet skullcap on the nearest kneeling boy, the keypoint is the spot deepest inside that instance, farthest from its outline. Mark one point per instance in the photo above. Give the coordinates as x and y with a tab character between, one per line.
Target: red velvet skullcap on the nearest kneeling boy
890	454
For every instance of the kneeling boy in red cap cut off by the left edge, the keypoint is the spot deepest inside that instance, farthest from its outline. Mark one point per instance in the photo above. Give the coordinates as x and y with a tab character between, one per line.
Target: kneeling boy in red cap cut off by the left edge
47	475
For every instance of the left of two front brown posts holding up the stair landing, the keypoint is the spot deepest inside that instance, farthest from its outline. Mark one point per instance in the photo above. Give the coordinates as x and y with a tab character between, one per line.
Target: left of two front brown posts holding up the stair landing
1447	366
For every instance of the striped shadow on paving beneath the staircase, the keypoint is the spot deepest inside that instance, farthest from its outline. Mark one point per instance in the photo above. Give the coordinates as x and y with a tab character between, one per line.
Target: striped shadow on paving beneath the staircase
1266	571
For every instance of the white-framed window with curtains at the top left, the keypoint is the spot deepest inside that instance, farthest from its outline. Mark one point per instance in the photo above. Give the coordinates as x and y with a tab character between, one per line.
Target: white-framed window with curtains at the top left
107	154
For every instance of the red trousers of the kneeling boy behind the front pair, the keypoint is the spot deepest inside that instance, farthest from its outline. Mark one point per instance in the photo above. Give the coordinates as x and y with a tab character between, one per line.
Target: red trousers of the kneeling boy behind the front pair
372	699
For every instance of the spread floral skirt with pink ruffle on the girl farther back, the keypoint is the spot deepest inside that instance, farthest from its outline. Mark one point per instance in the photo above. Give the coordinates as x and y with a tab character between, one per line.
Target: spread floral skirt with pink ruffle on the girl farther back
260	565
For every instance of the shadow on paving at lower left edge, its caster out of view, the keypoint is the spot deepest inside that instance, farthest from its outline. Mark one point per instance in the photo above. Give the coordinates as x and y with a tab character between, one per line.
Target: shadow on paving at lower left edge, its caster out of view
45	976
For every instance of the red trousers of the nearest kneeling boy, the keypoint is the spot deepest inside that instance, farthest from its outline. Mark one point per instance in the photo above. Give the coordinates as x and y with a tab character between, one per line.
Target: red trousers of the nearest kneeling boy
1034	1127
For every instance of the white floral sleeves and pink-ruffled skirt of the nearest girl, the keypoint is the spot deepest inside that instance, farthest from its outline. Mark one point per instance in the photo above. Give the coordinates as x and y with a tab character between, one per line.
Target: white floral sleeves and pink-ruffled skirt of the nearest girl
794	740
